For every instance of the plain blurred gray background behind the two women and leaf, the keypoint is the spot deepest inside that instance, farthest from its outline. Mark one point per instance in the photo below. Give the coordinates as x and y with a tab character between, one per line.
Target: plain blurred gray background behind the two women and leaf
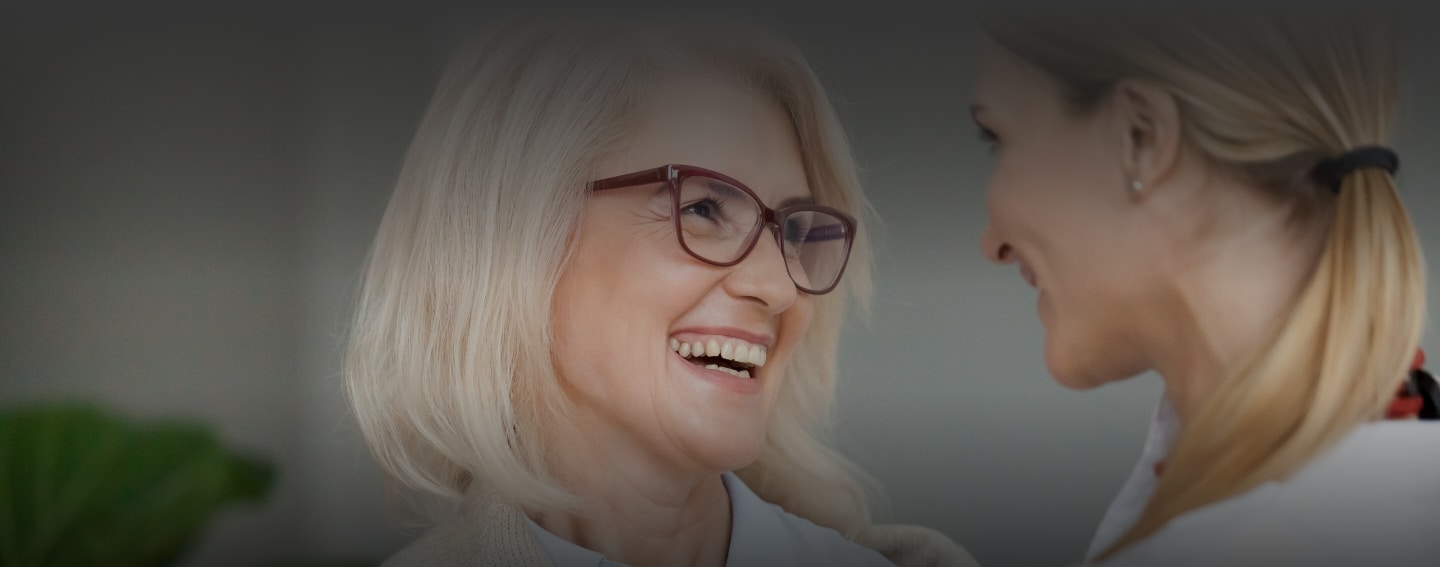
186	199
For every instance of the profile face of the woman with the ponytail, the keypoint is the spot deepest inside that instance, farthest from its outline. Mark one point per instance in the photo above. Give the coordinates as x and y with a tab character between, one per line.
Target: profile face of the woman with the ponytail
1061	208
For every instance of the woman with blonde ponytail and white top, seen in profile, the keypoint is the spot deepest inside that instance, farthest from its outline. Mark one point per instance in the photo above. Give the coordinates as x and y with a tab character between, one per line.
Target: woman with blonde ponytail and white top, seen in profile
1210	196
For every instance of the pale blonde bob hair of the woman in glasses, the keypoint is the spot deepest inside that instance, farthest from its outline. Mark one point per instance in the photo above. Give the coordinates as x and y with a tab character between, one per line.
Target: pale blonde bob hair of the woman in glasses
450	366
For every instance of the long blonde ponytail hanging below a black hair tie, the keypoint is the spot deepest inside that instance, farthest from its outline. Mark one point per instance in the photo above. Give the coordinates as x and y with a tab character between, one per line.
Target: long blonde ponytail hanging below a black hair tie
1334	365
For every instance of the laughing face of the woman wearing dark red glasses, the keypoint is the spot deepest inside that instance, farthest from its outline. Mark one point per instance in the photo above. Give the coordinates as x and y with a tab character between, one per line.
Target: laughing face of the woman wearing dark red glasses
631	294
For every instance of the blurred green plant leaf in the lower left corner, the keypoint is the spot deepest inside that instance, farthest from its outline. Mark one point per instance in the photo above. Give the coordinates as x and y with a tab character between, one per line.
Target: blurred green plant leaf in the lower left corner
84	487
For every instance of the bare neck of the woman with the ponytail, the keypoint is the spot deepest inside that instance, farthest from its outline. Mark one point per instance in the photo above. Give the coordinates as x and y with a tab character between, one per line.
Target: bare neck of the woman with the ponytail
1230	296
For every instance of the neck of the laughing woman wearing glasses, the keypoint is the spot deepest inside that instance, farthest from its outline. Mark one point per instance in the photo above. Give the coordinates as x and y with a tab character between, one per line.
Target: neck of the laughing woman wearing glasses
637	510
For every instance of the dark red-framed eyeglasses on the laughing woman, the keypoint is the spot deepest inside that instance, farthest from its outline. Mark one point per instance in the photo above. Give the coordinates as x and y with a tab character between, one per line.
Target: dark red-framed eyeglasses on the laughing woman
719	221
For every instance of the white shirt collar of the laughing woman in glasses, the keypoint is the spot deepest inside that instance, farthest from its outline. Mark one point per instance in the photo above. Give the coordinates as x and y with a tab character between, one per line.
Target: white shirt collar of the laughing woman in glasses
761	535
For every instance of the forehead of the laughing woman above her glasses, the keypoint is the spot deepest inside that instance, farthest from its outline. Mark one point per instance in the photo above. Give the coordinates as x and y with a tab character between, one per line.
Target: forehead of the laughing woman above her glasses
721	124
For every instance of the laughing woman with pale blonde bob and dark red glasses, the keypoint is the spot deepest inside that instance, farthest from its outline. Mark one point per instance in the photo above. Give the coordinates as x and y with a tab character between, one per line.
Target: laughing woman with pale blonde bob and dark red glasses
603	309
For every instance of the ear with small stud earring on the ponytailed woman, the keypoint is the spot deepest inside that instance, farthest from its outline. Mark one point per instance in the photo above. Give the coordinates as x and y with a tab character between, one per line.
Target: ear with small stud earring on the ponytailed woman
1150	122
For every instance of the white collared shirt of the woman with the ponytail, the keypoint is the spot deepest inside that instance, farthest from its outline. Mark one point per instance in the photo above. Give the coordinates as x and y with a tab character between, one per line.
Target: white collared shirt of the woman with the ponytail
1372	500
